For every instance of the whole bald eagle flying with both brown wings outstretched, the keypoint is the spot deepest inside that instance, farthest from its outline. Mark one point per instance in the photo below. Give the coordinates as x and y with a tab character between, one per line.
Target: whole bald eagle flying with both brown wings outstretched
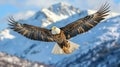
63	34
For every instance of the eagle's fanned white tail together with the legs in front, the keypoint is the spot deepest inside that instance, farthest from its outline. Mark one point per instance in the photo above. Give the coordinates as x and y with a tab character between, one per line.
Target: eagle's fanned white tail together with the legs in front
63	48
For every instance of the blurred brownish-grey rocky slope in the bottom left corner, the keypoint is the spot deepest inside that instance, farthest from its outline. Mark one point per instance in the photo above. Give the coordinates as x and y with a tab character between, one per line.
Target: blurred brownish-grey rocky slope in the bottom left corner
12	61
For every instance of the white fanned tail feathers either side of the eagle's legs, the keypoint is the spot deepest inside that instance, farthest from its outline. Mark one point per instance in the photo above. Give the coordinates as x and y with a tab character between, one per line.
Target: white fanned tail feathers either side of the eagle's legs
58	50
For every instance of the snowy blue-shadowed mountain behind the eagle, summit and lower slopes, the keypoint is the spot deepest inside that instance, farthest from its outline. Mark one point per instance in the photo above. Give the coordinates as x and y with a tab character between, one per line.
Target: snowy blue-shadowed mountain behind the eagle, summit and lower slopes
59	15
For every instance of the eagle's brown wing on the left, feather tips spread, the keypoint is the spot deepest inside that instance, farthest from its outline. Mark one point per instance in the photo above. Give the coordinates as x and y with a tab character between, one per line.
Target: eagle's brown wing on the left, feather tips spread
32	32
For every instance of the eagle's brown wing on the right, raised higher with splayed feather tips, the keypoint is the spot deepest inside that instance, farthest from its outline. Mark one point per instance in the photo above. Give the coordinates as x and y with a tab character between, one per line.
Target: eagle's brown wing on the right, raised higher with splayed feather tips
86	23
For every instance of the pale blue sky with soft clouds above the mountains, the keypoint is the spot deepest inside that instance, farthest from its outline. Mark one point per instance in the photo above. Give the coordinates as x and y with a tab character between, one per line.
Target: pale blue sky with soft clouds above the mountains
8	7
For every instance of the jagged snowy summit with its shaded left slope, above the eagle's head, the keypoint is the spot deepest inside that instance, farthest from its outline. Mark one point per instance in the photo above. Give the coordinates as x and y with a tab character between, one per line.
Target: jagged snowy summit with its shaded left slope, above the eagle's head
52	14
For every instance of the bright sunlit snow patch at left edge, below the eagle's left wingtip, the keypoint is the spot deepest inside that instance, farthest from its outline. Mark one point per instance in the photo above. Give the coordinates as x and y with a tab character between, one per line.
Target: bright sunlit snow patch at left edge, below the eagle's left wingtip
5	34
